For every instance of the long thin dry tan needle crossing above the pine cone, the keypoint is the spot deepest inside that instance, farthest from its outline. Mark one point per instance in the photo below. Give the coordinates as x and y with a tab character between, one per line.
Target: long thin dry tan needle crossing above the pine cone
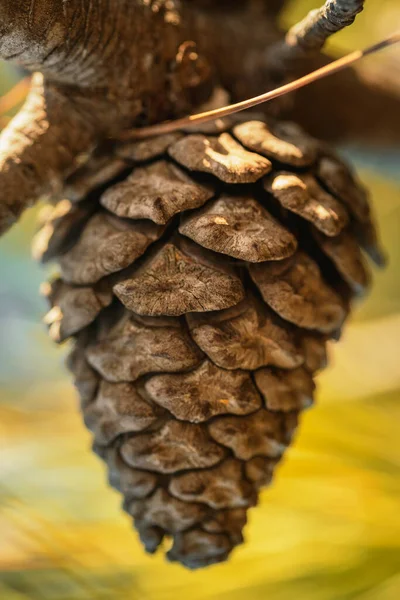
211	115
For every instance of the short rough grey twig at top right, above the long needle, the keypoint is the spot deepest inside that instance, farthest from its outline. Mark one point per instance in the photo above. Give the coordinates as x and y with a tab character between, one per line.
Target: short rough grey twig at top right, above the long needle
309	35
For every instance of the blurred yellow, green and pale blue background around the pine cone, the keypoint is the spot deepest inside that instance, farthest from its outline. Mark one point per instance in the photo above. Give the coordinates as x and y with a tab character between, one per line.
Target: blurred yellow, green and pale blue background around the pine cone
328	528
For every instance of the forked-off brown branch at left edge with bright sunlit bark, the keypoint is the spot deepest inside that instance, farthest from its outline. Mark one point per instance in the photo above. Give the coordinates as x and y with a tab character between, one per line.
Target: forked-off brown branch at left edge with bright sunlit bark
39	146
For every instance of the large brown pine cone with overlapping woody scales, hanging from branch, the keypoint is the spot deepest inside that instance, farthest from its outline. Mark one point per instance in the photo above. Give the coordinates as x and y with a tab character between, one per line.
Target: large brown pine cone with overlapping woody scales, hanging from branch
201	277
